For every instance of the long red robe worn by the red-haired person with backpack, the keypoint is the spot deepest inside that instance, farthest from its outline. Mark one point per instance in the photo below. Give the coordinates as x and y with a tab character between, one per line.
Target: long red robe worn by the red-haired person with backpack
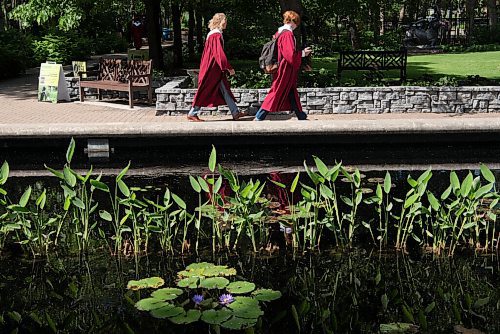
285	79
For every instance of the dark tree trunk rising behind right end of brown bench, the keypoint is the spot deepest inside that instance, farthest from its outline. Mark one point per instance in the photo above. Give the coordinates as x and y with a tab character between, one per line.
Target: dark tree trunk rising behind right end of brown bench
153	10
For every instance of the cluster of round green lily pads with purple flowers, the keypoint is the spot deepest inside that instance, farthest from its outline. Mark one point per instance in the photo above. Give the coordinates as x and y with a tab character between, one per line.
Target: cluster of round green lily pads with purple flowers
215	300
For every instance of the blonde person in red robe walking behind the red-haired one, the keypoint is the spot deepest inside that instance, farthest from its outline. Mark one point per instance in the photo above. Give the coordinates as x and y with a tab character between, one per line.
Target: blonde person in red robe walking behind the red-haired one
213	86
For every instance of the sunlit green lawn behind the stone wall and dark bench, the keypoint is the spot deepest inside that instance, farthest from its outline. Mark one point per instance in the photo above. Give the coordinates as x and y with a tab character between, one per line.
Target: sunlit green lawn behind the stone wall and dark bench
485	64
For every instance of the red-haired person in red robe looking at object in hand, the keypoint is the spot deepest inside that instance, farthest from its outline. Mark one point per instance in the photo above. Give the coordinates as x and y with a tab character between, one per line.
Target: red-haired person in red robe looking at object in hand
283	94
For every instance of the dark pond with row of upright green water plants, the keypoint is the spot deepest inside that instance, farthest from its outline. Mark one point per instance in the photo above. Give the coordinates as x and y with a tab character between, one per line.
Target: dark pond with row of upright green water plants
349	251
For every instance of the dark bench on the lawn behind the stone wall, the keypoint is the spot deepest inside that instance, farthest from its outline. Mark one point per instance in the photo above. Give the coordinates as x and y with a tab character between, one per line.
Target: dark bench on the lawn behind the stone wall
373	61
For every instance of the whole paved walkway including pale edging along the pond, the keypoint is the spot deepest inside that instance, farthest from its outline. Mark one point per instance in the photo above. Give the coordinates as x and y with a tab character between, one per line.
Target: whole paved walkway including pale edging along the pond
22	115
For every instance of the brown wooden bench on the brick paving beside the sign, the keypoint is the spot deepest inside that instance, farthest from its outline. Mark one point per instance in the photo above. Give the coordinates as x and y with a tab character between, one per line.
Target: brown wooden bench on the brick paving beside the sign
117	75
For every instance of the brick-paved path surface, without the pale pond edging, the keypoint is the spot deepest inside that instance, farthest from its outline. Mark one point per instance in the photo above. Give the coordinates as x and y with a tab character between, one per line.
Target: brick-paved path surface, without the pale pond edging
19	105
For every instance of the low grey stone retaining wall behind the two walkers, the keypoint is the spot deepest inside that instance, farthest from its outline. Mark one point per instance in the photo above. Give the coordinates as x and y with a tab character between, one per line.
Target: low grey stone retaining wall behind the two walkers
172	100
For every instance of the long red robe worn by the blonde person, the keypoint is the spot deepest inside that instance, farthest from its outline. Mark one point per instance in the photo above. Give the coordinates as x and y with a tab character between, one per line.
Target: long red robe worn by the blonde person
212	74
